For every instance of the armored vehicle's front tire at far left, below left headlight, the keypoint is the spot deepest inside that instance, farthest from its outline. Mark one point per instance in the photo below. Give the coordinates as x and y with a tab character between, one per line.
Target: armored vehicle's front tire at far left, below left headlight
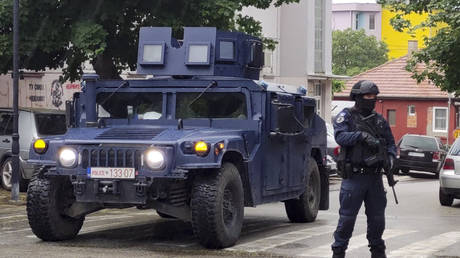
46	200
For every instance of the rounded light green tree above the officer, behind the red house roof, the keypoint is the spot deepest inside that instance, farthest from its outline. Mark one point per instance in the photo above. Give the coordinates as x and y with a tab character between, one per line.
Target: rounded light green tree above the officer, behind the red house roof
354	52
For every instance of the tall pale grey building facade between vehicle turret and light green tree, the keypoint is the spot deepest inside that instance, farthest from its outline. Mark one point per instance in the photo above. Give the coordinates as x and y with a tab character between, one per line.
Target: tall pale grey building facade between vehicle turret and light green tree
303	54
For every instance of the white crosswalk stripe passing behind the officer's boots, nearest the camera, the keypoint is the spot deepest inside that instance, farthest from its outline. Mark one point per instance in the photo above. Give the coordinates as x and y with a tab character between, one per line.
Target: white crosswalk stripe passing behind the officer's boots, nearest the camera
355	243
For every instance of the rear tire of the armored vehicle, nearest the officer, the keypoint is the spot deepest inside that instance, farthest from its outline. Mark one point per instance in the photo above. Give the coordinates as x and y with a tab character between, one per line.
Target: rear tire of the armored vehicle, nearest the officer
305	208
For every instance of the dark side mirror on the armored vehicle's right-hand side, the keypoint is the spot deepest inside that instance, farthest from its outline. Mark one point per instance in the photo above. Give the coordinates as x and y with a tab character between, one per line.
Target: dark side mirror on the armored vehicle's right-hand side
284	119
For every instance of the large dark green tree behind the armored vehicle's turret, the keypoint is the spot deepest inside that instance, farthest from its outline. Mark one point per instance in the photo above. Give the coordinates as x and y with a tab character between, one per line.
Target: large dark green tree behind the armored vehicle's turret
65	33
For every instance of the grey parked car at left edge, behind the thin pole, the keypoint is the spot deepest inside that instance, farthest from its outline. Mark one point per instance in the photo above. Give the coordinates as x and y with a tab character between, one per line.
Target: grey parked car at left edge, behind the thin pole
32	125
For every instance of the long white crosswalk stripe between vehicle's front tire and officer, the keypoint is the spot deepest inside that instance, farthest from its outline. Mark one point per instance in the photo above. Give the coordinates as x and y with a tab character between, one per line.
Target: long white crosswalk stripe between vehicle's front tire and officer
266	243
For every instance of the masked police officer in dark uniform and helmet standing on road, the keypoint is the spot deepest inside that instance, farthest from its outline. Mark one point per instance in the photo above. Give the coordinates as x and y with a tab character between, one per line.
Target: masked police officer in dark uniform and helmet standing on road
357	131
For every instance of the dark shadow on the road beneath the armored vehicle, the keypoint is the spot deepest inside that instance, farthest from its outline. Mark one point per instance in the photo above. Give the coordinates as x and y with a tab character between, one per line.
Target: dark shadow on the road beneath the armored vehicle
171	235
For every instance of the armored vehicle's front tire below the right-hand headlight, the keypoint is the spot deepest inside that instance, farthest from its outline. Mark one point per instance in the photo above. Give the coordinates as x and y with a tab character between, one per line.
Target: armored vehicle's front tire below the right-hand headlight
218	207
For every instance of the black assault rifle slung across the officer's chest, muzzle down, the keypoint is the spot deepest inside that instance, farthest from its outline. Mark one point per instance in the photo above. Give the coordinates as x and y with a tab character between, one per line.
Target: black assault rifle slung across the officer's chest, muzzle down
382	154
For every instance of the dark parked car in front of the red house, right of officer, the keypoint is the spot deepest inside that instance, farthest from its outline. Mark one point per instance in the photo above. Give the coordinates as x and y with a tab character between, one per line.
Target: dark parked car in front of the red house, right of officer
420	152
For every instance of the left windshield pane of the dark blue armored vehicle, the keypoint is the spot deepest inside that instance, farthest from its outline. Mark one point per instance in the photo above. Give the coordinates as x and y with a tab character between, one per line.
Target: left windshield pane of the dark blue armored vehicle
122	105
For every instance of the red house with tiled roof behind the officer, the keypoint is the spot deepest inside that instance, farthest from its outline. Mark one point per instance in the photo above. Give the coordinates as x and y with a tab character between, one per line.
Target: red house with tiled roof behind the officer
410	107
